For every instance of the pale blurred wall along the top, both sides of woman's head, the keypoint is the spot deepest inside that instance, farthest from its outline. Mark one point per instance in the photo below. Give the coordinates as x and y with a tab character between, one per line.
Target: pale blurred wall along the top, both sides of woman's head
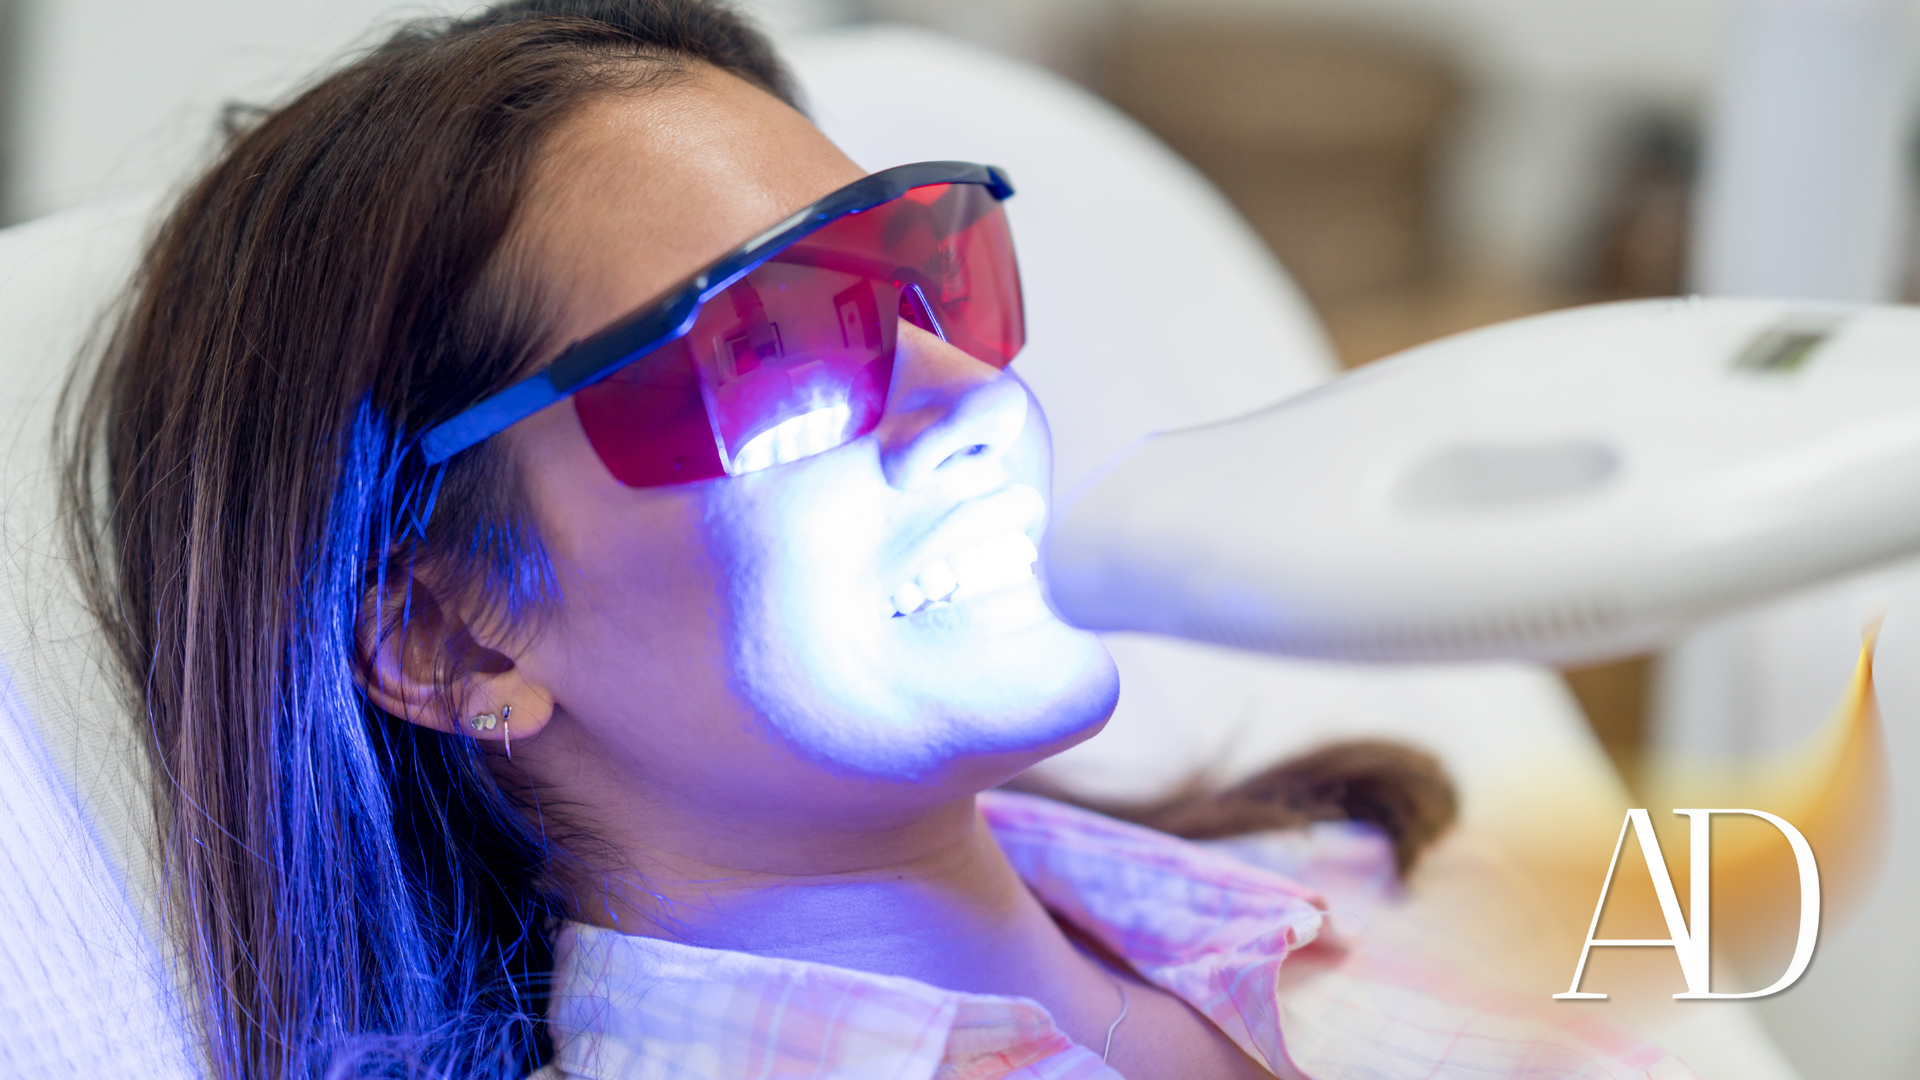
122	95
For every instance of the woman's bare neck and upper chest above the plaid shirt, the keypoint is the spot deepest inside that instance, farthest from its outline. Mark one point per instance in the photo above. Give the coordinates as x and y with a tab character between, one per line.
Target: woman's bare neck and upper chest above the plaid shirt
930	896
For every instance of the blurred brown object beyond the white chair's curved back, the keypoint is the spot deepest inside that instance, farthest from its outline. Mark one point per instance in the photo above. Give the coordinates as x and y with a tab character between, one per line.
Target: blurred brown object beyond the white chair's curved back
1333	139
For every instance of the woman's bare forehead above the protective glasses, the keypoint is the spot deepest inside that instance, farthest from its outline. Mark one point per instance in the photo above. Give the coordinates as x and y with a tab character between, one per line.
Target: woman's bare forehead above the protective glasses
636	191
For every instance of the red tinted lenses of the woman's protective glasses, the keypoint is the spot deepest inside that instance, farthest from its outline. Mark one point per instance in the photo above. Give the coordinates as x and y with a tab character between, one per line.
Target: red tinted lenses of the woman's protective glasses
798	356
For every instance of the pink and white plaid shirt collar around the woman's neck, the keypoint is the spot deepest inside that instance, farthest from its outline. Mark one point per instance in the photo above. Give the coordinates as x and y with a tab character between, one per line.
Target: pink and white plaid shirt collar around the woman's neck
1195	923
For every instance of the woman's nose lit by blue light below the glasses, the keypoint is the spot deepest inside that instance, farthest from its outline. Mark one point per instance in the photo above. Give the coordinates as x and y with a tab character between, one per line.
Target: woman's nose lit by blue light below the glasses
946	408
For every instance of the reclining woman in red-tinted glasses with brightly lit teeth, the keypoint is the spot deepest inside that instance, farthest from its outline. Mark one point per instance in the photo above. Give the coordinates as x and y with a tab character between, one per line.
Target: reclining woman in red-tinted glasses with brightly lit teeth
483	693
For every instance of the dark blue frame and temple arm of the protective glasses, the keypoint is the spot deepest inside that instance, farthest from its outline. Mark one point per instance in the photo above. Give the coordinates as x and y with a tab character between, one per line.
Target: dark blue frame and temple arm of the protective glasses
673	314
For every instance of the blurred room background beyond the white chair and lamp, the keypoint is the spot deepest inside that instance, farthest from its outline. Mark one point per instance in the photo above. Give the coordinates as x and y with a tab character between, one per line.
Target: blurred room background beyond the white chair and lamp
1420	166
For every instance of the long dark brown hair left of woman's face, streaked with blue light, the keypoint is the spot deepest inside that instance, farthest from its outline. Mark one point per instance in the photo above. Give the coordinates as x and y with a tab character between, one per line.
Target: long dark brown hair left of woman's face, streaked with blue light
354	893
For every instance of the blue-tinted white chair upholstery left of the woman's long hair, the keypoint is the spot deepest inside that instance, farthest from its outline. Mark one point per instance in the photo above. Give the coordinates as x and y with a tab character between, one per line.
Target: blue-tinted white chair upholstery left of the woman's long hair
84	991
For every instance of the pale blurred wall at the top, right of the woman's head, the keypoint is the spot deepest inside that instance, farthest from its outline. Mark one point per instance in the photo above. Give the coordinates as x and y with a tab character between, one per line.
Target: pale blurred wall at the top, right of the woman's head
1556	86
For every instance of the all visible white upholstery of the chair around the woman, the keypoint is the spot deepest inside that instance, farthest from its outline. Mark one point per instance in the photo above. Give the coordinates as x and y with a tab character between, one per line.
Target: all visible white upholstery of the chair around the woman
1151	307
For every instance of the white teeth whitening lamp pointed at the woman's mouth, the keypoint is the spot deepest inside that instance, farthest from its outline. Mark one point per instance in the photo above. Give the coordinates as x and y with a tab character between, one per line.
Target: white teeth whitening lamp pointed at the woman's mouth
1562	489
